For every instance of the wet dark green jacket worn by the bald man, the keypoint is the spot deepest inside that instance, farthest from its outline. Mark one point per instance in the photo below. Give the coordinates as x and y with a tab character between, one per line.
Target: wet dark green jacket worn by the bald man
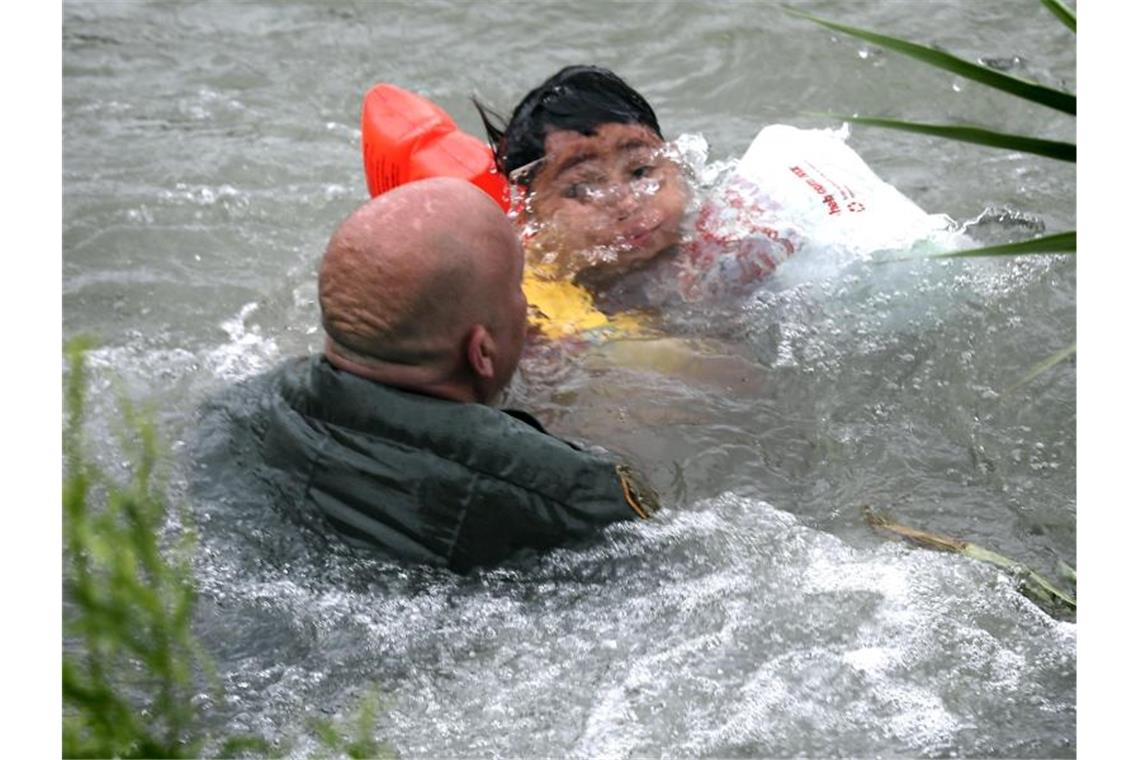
436	481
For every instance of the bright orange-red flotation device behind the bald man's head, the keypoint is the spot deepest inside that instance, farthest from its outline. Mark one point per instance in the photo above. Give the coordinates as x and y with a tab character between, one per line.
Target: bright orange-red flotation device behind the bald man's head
406	137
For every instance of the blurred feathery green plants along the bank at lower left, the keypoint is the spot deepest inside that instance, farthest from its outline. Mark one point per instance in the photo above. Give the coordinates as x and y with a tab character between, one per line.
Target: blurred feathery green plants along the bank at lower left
133	669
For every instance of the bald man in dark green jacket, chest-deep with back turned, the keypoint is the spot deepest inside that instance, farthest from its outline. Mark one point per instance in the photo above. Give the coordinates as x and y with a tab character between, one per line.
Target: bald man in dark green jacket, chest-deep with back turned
390	436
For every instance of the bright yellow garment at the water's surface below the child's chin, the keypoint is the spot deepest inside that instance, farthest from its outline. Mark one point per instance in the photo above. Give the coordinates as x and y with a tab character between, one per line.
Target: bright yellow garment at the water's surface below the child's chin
564	309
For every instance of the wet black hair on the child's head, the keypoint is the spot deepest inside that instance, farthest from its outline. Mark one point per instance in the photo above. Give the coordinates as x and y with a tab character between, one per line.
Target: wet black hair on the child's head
576	99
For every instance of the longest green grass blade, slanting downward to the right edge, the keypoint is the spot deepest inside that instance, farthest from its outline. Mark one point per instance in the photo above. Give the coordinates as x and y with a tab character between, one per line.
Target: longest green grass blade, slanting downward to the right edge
1032	92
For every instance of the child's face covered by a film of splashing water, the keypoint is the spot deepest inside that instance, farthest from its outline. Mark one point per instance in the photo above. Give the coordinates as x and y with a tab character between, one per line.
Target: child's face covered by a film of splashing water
606	205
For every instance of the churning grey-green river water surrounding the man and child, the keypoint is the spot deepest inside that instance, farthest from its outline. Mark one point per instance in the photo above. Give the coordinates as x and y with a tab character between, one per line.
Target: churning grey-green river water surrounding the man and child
211	149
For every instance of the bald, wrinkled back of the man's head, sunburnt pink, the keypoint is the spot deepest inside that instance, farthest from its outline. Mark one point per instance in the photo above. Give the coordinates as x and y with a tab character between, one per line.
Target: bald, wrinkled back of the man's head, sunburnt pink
408	276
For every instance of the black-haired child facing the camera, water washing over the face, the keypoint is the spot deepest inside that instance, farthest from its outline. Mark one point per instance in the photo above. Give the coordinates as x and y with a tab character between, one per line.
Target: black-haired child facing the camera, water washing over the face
607	205
